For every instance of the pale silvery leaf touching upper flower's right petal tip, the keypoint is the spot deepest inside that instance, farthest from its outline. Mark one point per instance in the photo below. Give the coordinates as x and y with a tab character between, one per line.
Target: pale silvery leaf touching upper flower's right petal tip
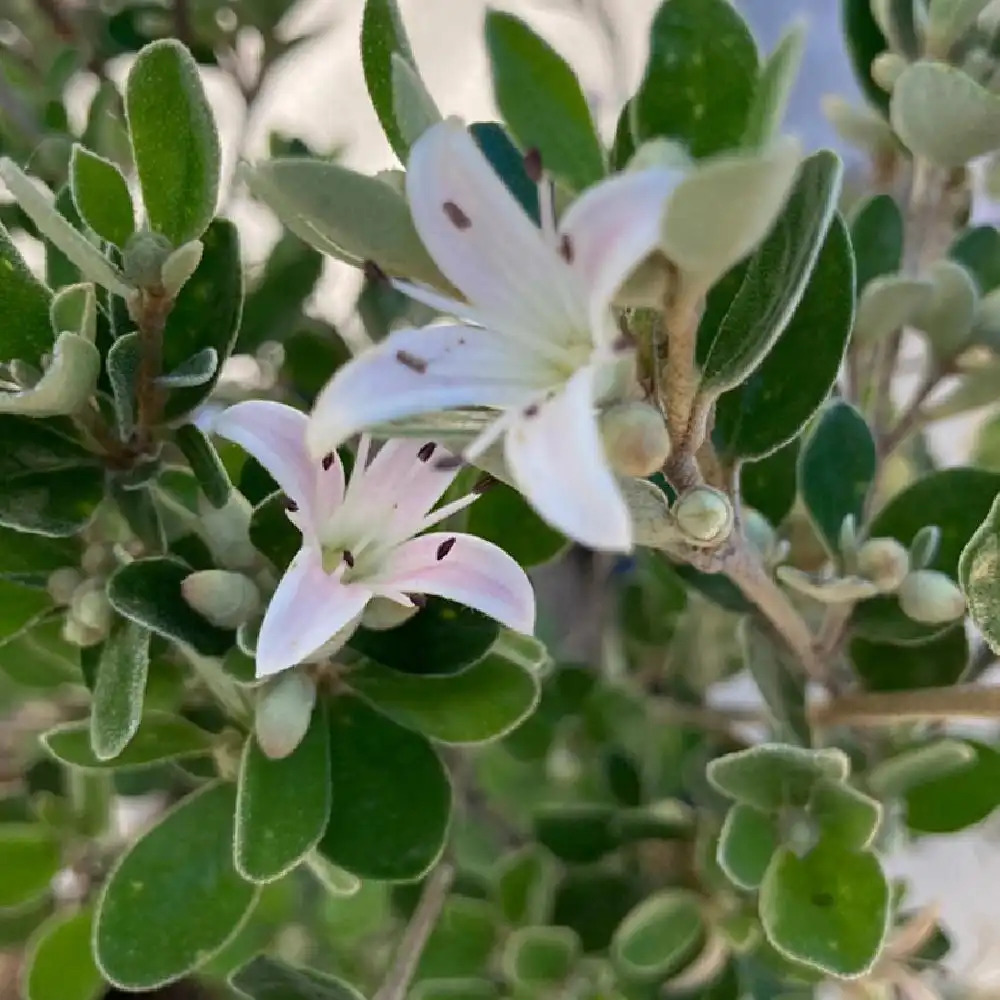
725	207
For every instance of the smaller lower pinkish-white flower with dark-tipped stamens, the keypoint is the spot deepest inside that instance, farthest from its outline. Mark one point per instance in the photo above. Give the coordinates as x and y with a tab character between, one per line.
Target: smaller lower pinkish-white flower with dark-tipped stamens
358	541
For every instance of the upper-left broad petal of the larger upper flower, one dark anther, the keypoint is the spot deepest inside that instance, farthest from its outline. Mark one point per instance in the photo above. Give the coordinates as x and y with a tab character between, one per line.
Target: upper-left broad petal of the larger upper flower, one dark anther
484	242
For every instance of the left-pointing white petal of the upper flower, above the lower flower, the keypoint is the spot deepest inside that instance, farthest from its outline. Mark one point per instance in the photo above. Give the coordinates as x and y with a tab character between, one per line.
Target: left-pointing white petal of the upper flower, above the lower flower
417	371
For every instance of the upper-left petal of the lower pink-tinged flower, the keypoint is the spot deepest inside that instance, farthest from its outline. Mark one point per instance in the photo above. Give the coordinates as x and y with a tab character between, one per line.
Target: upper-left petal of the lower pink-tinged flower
275	435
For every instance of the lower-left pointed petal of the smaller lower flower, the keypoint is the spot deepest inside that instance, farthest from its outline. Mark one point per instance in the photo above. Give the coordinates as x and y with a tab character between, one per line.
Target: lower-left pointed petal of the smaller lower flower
308	608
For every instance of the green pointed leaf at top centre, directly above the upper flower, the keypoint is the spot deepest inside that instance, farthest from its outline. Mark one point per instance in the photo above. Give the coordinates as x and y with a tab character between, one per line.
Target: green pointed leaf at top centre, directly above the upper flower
541	100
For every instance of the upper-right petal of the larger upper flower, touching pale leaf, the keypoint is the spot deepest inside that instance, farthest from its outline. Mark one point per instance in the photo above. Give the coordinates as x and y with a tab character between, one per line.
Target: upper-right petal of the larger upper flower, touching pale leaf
611	229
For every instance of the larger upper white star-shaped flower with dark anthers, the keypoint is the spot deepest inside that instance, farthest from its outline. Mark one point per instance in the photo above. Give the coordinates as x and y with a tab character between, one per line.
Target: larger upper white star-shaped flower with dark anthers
538	338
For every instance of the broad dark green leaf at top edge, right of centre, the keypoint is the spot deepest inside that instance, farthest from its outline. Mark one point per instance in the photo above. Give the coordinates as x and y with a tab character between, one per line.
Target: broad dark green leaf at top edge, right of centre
700	79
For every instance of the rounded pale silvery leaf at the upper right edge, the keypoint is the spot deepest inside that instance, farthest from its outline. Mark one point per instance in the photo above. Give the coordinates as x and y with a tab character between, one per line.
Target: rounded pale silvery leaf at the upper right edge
942	114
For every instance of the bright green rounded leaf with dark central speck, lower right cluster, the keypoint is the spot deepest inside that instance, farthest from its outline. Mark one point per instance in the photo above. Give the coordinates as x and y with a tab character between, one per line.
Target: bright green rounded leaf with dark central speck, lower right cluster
829	910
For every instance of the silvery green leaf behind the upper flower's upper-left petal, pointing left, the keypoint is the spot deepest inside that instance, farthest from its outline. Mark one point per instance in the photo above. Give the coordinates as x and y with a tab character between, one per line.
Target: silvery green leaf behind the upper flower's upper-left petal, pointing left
345	214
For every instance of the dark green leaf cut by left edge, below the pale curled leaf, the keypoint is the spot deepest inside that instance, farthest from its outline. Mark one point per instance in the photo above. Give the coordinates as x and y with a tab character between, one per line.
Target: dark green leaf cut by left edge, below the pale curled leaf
49	484
